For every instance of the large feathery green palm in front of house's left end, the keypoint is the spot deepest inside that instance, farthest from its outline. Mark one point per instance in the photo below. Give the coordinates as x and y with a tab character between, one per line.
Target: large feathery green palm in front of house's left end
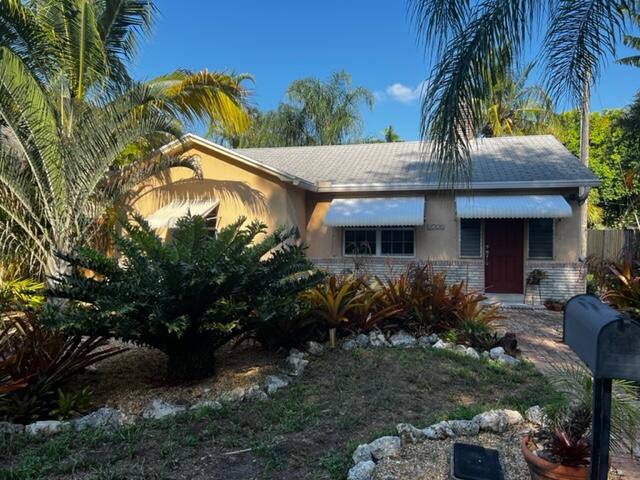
57	174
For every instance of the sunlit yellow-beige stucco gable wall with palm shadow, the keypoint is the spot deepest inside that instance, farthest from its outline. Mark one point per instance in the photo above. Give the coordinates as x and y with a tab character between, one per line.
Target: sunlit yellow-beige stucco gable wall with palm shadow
241	189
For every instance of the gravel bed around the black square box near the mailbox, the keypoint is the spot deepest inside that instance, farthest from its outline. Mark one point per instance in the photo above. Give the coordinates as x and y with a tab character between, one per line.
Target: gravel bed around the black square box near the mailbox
431	460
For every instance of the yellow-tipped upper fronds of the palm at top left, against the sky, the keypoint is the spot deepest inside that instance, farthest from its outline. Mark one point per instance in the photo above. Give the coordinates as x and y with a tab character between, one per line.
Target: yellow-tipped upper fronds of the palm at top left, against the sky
90	44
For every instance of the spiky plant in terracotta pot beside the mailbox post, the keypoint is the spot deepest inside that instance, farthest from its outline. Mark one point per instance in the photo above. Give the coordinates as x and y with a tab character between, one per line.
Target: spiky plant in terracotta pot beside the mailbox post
560	449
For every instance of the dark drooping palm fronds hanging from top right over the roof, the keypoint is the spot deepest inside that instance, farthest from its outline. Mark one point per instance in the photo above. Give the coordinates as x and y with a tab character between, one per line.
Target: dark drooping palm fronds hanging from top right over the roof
475	43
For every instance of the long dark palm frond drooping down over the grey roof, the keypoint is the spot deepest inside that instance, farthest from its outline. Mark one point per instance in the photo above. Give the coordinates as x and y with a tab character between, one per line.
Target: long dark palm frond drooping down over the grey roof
476	57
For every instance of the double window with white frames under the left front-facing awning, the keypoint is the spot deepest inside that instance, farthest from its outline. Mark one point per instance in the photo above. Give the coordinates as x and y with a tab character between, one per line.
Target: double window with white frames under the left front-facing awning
379	241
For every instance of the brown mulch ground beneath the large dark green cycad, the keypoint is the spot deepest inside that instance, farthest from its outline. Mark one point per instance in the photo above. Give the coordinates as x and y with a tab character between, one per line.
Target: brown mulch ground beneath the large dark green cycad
129	381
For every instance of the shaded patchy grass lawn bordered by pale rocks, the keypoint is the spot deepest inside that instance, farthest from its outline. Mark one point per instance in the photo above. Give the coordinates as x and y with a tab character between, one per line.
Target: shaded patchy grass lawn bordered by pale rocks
307	430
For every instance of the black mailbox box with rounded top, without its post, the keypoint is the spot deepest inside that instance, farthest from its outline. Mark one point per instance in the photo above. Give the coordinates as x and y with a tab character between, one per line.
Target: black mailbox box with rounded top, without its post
607	341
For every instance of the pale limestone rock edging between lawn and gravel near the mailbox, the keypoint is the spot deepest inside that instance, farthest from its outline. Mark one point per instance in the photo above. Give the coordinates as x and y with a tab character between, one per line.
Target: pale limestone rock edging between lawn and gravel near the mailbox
367	455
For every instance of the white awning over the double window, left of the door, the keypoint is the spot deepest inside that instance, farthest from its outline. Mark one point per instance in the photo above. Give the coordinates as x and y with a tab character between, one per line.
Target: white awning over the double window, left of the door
375	212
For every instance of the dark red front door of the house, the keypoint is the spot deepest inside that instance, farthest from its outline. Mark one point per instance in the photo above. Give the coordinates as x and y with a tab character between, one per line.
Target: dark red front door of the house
503	256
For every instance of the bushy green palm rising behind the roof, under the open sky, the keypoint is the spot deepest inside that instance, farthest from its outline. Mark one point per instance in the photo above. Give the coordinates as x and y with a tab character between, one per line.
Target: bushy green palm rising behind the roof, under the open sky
331	109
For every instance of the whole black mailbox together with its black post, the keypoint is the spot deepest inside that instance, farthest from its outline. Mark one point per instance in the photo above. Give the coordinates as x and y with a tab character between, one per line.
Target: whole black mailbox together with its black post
608	342
